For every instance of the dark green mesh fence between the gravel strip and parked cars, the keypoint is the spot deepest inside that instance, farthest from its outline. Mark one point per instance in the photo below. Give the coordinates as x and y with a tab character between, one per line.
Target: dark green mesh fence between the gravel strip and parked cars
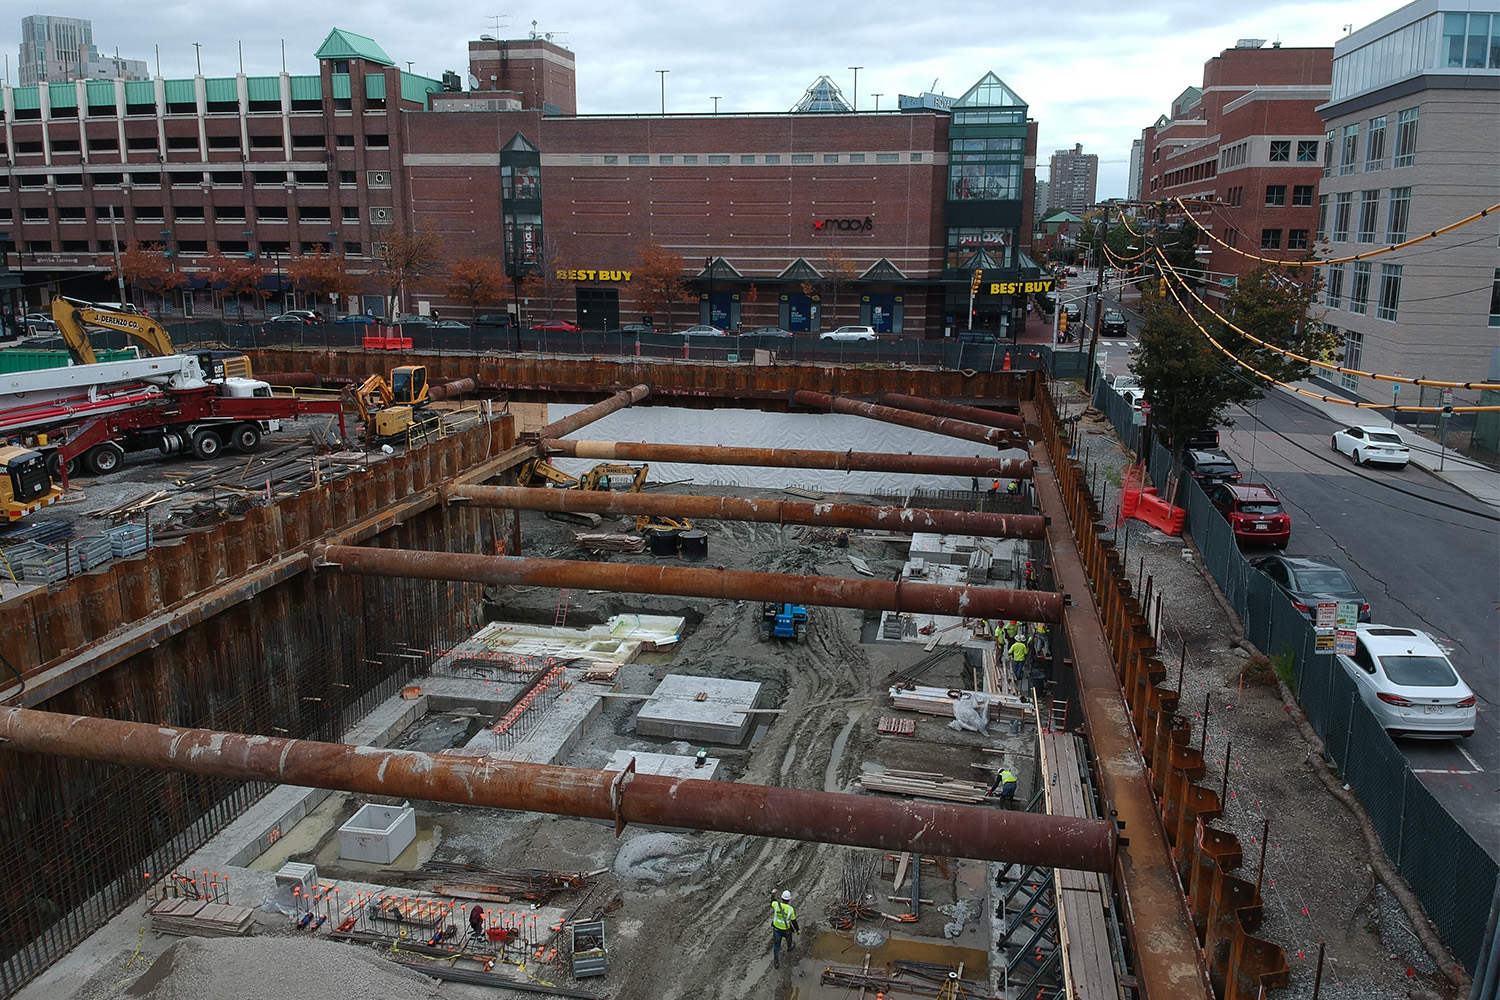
1450	872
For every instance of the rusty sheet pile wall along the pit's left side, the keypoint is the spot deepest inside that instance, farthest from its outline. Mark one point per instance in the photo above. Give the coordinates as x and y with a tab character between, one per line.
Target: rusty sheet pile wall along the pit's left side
290	656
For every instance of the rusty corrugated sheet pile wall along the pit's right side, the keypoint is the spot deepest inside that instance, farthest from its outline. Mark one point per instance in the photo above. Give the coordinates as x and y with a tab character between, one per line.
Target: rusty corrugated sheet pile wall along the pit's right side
1226	909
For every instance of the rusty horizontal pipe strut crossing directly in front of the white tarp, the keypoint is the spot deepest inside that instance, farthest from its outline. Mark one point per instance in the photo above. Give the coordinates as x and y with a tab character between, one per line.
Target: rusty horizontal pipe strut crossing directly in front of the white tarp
793	460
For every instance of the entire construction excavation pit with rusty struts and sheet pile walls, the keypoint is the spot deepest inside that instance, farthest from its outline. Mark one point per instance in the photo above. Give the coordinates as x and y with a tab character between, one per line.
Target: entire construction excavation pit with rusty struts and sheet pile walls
491	719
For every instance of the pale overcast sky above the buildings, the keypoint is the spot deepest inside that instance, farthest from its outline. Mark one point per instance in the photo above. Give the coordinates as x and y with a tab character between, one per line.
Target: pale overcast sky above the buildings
1091	73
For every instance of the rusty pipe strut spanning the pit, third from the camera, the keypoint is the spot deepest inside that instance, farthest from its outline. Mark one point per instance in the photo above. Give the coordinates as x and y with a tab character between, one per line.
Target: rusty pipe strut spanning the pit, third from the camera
776	512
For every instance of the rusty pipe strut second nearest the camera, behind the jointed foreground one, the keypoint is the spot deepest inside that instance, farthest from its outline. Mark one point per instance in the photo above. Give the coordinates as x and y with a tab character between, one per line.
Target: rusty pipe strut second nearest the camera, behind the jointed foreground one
728	585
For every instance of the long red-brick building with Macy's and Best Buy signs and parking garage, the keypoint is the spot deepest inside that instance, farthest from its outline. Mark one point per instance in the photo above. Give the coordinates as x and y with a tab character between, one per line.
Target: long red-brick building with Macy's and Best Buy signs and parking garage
802	221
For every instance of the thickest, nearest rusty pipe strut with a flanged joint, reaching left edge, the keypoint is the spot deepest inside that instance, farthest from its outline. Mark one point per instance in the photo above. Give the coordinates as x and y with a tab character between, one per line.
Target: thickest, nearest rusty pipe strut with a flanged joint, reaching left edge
859	821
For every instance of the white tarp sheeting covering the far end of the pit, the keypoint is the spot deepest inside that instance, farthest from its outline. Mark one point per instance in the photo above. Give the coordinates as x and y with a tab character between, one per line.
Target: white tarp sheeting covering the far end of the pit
757	430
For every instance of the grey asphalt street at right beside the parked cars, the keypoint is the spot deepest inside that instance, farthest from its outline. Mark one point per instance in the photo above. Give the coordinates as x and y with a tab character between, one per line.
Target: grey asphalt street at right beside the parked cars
1426	557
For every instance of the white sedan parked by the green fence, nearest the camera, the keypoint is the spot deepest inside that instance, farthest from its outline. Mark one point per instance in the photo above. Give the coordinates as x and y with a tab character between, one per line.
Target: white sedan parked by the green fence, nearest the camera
1408	683
